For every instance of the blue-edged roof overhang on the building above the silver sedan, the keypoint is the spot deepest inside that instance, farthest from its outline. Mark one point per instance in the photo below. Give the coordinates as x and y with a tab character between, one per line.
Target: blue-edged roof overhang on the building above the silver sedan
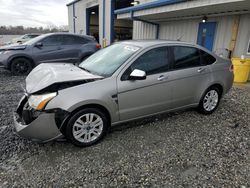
157	11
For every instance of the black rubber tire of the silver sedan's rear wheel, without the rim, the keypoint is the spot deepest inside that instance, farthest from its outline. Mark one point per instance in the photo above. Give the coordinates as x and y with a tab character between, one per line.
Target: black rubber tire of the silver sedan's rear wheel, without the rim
203	108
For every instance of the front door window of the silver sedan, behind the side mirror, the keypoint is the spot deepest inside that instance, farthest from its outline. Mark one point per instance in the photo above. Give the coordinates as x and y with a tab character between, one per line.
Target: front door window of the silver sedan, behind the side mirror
153	61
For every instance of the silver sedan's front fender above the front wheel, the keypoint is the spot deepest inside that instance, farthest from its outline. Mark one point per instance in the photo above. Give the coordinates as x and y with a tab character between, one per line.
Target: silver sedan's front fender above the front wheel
100	92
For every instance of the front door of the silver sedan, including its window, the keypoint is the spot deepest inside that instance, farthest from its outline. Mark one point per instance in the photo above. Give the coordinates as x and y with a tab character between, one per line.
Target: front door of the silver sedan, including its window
138	98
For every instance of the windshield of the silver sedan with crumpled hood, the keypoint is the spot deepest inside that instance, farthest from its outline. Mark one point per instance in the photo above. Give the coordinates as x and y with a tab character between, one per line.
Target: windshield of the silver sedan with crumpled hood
106	61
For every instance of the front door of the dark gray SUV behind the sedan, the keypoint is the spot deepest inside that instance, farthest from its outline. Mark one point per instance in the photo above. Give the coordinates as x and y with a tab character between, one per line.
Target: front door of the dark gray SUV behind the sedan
50	51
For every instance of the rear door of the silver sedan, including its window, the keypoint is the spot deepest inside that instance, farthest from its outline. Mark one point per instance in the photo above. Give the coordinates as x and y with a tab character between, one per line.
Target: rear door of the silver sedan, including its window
190	75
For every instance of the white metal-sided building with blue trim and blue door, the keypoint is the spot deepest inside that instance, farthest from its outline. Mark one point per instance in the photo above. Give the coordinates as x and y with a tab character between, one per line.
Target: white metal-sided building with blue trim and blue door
216	24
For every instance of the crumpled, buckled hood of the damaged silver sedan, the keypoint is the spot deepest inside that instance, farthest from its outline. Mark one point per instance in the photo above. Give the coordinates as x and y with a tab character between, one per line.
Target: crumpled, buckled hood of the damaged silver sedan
46	74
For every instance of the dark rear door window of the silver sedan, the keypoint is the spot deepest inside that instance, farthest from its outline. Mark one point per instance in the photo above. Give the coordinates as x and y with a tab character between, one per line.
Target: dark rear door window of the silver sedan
186	57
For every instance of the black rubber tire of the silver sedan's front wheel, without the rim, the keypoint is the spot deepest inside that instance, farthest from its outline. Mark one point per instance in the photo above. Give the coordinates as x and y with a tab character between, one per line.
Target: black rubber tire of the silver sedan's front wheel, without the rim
70	127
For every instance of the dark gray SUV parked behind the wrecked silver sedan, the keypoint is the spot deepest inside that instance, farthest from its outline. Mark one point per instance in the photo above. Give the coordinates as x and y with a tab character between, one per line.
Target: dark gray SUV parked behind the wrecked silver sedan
47	48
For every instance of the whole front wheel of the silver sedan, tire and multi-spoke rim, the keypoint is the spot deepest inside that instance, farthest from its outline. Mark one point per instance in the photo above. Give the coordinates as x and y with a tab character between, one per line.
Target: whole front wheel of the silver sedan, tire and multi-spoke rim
87	127
